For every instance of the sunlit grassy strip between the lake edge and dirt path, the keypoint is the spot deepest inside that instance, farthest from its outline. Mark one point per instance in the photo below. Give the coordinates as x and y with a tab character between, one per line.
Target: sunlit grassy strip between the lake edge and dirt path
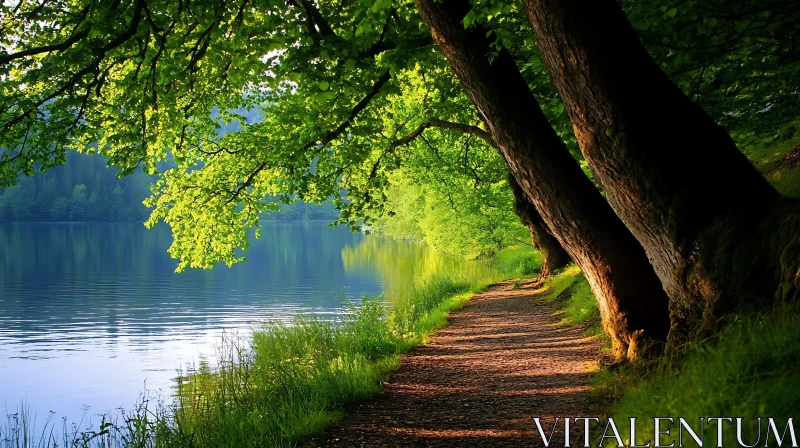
292	380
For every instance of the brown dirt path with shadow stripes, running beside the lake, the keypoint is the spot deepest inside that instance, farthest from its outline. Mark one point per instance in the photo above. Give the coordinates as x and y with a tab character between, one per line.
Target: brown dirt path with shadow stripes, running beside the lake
480	381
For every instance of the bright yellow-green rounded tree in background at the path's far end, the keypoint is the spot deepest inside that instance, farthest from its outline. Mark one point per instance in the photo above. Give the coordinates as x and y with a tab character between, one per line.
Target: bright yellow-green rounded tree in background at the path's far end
451	193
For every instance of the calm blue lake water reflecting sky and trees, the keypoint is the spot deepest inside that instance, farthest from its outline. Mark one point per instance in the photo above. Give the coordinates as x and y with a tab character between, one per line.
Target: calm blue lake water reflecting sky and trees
89	313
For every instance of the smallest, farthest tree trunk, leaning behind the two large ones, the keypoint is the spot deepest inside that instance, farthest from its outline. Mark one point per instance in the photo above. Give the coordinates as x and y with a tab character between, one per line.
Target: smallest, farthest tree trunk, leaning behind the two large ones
553	255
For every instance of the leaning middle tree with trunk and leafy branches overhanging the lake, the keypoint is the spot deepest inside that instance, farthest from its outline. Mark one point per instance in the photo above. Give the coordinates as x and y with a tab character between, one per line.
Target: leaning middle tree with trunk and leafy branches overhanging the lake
152	81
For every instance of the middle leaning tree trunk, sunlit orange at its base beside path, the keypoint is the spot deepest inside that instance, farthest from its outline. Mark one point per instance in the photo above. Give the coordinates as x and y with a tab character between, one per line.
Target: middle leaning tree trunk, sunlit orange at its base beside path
630	298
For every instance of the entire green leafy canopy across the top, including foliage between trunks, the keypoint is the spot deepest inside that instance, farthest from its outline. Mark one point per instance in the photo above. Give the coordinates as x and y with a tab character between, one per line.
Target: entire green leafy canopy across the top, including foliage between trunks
347	91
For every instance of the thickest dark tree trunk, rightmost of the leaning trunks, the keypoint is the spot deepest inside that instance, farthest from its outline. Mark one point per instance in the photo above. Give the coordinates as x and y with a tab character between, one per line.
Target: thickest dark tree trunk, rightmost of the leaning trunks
715	231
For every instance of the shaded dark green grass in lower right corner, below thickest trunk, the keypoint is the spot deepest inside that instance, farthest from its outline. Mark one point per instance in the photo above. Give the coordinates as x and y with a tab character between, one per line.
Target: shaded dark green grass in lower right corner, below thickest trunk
750	369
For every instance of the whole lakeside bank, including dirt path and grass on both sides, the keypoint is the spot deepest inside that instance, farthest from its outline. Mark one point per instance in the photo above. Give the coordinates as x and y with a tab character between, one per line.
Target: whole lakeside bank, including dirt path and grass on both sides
511	353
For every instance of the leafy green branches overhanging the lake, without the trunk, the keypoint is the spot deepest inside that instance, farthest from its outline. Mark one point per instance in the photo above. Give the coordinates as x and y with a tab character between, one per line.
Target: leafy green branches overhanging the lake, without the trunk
320	73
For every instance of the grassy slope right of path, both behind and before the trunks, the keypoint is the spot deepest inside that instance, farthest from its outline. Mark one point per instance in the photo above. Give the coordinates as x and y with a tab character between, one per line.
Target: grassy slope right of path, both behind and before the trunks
750	369
